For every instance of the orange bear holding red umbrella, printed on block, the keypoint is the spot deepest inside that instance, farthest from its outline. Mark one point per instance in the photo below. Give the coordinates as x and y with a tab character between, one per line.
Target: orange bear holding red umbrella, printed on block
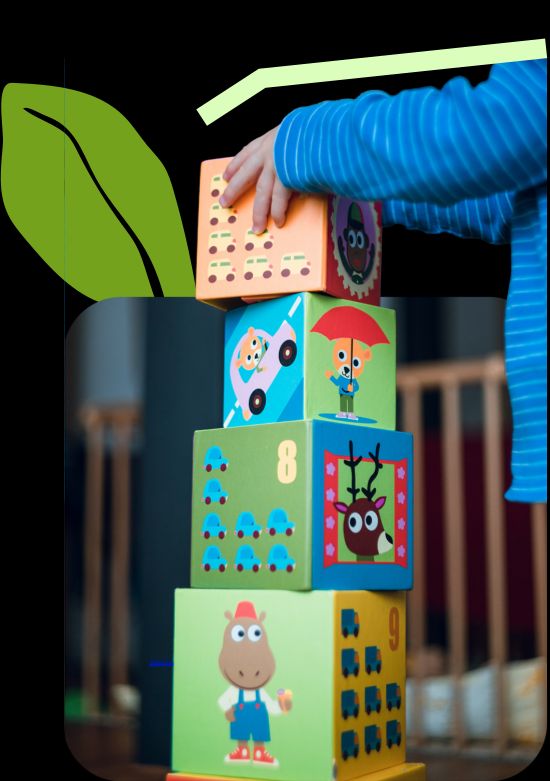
354	332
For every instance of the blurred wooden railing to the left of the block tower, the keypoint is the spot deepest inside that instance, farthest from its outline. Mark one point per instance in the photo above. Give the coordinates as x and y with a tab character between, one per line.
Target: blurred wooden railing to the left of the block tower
112	428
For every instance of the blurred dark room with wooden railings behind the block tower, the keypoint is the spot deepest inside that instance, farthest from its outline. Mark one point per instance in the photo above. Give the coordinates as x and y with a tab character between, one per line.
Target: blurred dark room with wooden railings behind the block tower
141	376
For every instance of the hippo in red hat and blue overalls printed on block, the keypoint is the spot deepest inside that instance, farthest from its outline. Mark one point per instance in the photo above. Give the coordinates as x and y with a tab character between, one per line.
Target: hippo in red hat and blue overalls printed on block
247	662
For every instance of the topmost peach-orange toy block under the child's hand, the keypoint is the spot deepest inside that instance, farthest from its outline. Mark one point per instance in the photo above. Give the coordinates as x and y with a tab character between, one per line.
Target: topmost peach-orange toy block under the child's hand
328	244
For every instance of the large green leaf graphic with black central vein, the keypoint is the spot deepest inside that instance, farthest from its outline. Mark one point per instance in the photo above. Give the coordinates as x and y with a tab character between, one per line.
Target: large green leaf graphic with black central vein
89	195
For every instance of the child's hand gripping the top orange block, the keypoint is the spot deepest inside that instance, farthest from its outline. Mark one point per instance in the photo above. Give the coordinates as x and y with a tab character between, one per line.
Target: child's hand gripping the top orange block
255	165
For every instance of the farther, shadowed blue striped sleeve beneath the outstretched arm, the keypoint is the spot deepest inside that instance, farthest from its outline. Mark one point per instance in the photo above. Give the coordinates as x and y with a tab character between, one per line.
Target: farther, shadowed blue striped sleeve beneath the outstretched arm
479	218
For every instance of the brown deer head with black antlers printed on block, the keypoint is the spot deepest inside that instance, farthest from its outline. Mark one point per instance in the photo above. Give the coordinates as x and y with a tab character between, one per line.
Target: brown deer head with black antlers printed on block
364	532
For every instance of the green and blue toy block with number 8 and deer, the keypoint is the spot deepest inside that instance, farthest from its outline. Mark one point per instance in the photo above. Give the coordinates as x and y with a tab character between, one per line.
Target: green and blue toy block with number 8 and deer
302	505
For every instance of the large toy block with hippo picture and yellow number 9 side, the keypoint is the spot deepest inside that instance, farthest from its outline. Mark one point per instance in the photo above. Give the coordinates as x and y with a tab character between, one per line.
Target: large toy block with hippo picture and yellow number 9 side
260	680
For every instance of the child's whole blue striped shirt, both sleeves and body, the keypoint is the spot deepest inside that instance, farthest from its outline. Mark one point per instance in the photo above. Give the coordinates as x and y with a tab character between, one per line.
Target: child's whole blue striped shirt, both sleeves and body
465	160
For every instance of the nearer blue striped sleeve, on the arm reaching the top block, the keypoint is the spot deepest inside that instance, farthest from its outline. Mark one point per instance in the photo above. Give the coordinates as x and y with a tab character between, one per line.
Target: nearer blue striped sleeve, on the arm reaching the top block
423	145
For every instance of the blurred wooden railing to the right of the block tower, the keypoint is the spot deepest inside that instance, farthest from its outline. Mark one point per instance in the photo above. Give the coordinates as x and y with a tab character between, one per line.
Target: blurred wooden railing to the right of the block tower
448	379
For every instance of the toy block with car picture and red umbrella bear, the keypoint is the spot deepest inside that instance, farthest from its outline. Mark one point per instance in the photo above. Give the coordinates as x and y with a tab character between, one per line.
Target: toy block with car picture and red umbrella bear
309	356
